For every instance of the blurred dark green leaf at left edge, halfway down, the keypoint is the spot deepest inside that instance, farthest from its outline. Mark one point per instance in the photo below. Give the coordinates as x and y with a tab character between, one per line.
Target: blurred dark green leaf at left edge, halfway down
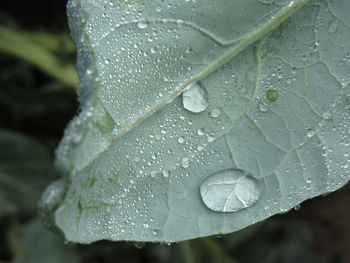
25	169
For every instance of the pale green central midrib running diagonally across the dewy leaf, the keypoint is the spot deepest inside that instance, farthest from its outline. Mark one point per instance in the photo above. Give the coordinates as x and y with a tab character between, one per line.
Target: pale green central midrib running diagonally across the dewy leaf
255	35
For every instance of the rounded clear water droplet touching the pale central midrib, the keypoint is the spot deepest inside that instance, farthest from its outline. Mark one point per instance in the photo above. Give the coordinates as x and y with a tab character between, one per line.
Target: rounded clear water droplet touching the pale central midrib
195	98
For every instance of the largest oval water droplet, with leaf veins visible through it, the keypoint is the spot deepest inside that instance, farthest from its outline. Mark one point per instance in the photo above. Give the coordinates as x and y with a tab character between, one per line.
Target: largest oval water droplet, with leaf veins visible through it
229	190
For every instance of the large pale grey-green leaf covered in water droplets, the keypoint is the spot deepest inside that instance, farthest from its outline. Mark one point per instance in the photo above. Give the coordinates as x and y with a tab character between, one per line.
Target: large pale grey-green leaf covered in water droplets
277	109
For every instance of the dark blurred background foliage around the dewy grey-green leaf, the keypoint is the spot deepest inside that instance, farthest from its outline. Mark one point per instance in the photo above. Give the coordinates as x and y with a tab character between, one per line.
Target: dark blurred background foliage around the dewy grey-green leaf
38	85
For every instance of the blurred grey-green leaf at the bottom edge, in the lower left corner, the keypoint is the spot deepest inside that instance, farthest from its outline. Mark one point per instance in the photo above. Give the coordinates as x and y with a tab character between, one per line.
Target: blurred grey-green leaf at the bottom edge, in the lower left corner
36	244
